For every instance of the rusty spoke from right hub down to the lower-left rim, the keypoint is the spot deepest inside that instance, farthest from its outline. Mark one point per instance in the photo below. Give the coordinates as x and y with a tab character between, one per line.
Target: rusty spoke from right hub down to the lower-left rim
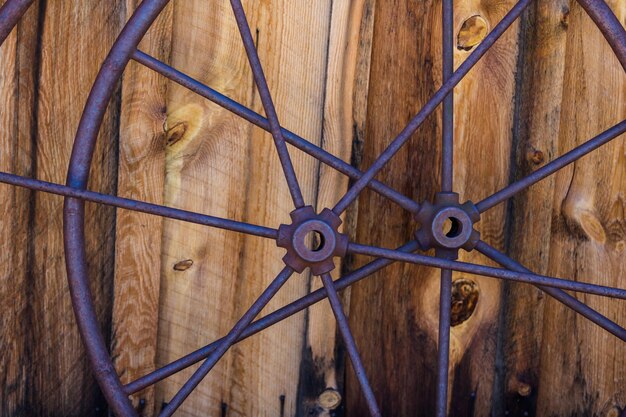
263	323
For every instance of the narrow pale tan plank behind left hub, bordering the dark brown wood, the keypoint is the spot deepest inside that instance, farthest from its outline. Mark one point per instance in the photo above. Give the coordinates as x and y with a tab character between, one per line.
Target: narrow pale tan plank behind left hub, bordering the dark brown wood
321	376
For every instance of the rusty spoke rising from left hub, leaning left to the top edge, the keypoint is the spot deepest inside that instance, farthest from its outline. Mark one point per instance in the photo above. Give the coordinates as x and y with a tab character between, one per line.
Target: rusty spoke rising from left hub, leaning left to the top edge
268	104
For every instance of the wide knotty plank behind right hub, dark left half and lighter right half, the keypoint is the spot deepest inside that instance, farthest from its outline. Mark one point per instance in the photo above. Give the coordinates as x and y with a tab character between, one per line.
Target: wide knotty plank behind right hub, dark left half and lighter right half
396	312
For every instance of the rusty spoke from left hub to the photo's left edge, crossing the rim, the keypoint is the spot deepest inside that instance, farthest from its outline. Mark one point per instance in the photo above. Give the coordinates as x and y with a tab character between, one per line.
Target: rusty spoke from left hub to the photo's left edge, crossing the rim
140	206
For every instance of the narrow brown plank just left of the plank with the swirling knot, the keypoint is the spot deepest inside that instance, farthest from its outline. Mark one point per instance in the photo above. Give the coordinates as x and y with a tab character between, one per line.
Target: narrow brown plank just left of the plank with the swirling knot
542	69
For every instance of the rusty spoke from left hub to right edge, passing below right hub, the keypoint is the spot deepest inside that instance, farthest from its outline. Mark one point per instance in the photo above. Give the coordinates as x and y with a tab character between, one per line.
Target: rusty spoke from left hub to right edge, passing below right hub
488	271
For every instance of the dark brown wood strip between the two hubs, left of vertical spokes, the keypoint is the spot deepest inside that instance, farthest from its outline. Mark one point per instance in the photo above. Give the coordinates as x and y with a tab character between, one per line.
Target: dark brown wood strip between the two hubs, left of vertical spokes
385	309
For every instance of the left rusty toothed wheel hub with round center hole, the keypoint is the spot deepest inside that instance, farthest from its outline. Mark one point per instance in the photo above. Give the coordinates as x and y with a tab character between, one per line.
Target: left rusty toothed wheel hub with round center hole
312	240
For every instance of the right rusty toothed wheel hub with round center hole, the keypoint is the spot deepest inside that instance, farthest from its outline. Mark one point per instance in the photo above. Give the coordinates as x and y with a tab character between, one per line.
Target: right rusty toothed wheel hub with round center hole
447	225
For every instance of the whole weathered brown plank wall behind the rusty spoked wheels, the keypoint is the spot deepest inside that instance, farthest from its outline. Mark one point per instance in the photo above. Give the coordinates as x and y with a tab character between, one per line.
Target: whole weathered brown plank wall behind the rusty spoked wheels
347	75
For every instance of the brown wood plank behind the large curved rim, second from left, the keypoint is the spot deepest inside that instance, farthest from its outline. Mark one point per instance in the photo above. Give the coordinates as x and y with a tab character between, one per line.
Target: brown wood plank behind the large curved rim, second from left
71	52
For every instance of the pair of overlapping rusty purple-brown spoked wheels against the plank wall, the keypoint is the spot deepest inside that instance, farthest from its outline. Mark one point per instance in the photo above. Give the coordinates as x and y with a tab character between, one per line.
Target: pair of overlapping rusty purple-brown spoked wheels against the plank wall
295	237
